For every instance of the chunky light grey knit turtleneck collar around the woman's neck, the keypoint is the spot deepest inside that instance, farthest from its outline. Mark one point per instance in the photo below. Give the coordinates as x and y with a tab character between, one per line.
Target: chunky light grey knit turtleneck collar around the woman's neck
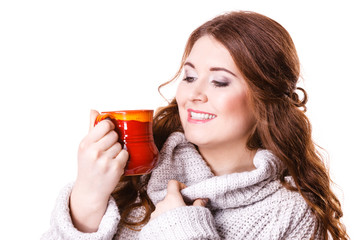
180	160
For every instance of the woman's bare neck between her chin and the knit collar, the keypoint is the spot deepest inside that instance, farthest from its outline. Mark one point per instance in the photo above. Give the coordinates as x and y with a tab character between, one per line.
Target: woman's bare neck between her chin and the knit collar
230	159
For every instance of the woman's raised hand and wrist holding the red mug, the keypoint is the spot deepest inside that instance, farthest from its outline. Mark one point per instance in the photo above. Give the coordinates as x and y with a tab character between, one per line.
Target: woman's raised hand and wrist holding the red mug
101	162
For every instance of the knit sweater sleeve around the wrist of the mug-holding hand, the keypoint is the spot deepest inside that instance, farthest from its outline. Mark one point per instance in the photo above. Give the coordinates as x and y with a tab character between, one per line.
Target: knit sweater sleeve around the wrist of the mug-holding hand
61	226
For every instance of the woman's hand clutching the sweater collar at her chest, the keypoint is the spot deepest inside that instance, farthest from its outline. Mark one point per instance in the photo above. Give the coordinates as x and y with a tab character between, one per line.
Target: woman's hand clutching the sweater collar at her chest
174	199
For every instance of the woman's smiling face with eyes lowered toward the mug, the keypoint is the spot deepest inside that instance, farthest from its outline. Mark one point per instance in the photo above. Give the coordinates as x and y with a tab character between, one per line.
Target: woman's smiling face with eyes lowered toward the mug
213	98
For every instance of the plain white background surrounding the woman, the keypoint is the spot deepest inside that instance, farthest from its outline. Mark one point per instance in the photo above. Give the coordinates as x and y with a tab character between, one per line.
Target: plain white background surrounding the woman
59	59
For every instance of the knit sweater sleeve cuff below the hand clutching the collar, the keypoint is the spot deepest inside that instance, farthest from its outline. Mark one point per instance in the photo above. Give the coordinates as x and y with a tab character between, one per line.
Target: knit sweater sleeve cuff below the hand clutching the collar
188	222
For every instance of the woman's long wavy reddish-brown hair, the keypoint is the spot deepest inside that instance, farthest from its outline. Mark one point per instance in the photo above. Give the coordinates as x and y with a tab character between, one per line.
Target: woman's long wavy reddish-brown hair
266	56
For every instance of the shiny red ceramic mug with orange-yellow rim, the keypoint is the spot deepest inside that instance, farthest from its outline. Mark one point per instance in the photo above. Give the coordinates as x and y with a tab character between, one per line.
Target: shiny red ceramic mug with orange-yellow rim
134	128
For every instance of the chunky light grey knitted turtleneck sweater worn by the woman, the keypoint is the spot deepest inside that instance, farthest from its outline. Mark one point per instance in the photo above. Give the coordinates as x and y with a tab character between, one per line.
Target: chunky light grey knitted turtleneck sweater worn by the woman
247	205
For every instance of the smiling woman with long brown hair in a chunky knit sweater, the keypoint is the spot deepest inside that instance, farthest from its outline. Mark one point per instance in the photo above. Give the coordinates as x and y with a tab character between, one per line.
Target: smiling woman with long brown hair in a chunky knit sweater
237	160
